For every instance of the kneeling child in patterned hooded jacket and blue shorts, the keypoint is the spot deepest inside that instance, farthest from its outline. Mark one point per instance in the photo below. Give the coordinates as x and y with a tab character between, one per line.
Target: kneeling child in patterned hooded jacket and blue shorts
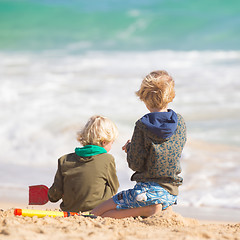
153	153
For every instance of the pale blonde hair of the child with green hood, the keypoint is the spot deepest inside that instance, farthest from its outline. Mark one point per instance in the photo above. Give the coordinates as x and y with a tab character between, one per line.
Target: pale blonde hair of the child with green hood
97	130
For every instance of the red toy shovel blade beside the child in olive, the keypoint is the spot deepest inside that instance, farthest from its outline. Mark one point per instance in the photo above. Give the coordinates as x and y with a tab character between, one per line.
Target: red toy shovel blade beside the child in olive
38	195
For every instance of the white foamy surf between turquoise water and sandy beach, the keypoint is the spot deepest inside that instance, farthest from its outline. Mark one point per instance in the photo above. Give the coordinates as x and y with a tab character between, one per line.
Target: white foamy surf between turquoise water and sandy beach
45	98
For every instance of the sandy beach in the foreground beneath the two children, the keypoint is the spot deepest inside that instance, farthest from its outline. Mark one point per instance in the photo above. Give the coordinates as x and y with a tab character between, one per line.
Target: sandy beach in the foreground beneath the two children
167	225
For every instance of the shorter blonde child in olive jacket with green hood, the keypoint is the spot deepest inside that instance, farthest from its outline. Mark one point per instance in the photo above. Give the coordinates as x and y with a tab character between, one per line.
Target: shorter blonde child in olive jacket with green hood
87	177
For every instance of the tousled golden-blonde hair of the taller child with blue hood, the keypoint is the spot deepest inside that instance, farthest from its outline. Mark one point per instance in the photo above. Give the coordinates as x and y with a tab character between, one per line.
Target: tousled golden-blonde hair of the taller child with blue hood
157	90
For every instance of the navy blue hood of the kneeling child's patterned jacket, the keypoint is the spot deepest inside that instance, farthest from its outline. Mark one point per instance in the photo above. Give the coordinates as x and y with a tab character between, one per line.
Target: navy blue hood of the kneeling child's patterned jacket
163	124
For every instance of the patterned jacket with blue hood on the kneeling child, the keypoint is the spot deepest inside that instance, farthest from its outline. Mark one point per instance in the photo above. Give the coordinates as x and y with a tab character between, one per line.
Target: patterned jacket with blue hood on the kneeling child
155	149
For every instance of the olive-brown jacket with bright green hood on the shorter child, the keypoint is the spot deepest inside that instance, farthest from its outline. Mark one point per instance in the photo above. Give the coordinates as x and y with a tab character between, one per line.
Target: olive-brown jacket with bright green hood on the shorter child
84	179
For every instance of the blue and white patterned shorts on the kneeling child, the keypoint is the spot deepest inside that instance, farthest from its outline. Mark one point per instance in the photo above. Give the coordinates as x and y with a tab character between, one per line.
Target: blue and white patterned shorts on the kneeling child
144	194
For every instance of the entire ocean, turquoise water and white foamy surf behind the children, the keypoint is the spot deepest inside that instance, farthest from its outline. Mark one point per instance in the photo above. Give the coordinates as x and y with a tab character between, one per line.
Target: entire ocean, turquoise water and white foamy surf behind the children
62	62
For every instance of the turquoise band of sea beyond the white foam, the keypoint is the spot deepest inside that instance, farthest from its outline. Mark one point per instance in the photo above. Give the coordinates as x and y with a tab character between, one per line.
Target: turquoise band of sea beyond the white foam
119	25
